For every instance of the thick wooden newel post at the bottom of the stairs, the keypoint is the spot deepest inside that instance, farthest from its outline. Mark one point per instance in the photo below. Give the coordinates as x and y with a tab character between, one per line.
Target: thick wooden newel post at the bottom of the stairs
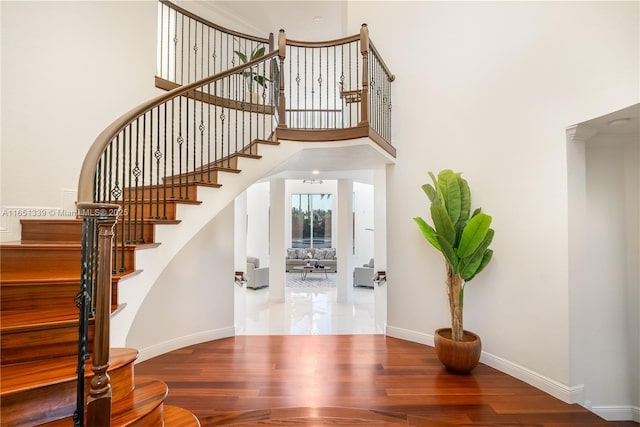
99	399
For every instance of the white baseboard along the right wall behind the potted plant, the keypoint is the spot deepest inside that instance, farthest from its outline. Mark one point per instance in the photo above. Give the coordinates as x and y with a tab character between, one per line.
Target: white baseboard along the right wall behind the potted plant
552	387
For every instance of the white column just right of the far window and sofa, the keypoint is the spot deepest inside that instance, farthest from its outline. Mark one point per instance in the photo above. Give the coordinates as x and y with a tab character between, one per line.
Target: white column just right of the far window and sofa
344	241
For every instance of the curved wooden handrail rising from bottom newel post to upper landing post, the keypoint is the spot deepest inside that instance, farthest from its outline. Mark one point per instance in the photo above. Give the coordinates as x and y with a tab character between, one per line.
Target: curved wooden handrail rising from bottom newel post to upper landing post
85	182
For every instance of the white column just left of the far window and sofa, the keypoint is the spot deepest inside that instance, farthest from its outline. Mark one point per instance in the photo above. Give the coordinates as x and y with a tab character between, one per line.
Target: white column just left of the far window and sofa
277	246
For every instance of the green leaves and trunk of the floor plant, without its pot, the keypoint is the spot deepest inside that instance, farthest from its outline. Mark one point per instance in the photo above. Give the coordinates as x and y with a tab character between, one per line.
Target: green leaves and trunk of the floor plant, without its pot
462	237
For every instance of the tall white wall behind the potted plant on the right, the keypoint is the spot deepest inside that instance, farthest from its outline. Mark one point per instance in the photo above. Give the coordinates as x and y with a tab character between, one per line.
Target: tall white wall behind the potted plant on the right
488	89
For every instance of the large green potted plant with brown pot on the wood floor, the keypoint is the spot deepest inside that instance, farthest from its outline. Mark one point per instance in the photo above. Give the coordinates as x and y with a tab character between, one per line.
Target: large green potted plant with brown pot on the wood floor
463	238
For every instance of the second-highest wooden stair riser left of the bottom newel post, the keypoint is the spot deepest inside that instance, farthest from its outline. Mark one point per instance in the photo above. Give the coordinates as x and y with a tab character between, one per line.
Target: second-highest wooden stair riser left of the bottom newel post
54	261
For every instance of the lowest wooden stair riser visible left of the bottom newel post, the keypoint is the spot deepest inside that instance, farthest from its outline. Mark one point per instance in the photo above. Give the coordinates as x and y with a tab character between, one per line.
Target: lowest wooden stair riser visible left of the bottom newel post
50	403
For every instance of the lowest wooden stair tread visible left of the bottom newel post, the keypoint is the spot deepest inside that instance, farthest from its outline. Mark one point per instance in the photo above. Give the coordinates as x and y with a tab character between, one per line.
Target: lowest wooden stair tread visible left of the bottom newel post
31	375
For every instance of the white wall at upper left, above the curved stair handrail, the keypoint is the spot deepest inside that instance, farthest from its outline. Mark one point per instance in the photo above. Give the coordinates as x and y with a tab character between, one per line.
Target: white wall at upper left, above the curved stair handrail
68	70
